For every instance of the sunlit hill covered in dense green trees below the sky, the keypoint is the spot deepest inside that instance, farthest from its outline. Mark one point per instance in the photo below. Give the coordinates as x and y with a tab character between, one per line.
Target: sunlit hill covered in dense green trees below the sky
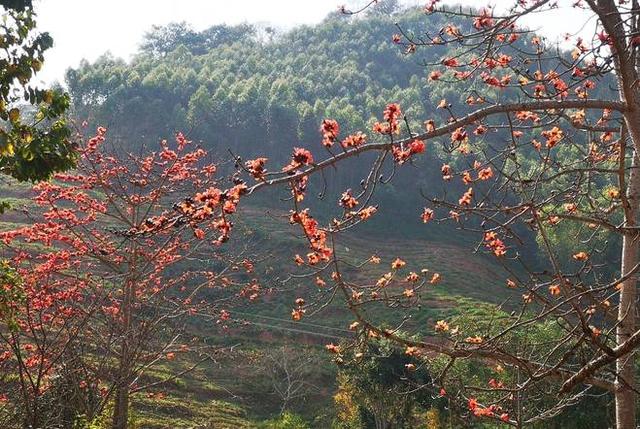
255	91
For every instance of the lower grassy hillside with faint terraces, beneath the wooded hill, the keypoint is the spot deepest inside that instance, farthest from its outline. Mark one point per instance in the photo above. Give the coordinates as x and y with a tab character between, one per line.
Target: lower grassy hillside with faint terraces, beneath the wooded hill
228	392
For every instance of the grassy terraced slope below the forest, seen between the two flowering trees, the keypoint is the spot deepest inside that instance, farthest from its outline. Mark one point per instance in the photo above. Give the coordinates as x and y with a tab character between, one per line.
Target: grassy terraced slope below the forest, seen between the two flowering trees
228	394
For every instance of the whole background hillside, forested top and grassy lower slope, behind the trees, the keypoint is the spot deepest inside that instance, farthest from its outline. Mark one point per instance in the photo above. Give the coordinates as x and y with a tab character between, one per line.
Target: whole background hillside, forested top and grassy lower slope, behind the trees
254	96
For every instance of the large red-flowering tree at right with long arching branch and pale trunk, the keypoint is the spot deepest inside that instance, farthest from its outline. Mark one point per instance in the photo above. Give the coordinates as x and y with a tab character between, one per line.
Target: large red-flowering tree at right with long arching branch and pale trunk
556	162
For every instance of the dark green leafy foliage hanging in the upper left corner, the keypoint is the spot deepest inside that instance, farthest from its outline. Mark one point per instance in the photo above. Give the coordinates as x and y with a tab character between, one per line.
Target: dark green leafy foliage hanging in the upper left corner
34	137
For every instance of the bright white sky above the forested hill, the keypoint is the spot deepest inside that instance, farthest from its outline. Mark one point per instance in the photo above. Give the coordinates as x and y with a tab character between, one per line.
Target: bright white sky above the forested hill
89	28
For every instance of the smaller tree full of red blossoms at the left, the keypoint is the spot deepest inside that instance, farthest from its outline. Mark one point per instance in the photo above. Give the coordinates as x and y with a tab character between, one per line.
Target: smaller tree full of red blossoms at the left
94	306
